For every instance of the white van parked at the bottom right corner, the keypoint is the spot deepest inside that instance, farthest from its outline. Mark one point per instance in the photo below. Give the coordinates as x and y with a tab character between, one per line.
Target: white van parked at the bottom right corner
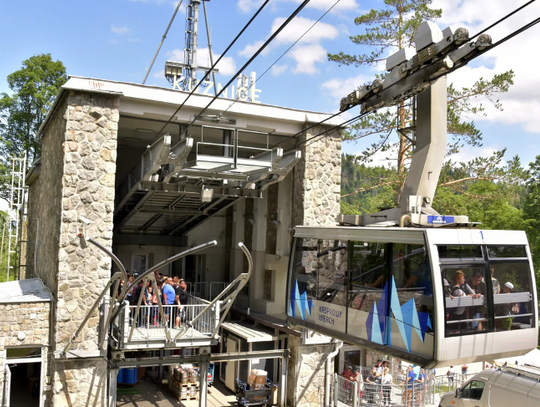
513	386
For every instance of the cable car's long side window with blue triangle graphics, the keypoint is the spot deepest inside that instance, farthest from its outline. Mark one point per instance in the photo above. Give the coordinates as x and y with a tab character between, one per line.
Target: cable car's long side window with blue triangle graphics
380	292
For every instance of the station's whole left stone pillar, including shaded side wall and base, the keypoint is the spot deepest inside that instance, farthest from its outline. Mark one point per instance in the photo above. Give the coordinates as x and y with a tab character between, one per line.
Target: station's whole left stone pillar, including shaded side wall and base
77	177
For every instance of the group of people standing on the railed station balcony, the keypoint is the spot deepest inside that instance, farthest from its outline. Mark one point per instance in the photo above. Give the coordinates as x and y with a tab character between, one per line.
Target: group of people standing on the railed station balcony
171	291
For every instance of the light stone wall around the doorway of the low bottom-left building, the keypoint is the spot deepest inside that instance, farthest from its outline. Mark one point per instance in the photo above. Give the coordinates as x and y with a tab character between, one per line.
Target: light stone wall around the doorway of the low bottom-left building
24	325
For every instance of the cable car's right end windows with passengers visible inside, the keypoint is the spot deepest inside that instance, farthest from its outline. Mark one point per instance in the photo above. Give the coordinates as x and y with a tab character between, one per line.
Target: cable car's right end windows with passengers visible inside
487	288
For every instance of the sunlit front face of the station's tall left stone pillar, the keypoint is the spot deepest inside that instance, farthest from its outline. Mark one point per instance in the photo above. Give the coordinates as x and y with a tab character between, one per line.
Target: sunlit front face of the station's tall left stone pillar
87	190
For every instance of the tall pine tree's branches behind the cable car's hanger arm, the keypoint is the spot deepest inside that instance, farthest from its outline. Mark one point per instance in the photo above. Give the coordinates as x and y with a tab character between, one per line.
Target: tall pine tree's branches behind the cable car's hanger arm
394	27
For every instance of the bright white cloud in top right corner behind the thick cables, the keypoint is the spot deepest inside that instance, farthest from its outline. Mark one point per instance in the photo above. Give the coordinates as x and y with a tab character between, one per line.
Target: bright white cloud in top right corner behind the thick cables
518	54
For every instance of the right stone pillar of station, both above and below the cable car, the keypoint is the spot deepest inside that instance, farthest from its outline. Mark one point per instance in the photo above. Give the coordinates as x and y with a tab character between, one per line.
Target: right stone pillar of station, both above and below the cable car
316	201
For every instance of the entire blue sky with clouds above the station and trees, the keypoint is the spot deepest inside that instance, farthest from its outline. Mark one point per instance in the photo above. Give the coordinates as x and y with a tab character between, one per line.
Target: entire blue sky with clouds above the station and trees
117	39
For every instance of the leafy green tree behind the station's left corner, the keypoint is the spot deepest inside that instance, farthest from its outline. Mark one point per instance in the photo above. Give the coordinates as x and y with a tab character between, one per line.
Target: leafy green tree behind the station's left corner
34	88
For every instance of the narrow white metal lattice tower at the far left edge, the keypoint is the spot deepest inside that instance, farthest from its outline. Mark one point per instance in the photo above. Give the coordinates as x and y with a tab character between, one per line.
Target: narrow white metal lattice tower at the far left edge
17	212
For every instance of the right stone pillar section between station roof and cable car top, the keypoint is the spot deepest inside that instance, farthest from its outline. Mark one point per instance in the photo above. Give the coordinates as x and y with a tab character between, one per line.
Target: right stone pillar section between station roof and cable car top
317	179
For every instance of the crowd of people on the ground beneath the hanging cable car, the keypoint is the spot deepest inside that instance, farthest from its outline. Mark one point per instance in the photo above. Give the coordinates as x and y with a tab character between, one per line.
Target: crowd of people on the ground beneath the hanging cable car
376	387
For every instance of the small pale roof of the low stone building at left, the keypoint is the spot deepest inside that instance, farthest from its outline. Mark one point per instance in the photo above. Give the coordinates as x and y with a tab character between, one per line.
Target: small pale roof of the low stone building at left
24	291
